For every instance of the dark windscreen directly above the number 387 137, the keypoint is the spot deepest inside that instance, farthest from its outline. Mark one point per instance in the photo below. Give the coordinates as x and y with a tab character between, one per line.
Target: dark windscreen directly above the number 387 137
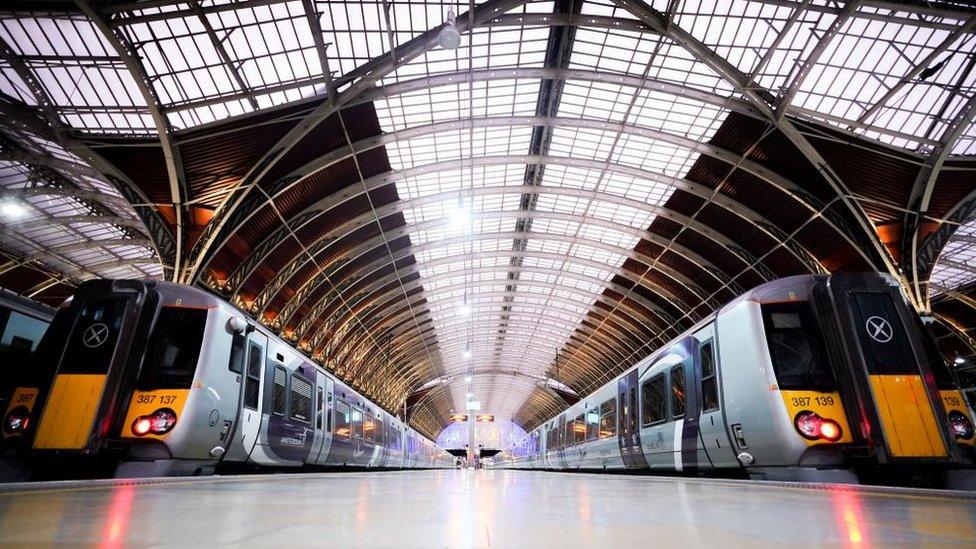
173	349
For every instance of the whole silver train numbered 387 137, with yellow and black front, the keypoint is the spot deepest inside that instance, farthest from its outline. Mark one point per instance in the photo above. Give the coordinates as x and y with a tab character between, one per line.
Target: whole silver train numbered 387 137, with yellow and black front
166	379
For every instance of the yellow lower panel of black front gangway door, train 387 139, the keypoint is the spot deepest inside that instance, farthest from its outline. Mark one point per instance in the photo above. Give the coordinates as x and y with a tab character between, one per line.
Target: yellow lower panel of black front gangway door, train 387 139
909	424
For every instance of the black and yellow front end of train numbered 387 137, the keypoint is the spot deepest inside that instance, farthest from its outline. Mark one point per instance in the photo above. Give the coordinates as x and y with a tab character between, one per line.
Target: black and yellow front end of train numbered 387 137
118	368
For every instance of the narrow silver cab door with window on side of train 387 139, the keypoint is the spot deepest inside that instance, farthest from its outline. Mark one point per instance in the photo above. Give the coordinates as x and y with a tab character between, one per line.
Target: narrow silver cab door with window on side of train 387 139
714	442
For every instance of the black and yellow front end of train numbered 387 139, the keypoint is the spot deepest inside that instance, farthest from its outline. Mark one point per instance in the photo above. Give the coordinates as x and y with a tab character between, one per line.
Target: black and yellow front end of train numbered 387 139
861	384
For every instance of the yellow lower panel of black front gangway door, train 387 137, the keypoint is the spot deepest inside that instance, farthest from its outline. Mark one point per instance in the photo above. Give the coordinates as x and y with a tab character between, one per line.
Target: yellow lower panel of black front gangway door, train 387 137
70	412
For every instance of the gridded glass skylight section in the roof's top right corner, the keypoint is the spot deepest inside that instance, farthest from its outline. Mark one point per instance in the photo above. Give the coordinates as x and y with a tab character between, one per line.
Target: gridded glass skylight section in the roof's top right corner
841	86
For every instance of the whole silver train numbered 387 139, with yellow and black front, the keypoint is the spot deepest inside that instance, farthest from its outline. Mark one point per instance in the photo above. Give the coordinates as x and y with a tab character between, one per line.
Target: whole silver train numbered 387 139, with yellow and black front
805	378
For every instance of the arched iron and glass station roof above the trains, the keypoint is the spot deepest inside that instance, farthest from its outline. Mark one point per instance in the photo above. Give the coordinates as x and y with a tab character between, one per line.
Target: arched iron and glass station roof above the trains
513	221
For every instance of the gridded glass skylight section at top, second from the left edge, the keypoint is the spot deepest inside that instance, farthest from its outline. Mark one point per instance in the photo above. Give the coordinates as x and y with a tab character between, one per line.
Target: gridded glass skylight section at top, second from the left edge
271	49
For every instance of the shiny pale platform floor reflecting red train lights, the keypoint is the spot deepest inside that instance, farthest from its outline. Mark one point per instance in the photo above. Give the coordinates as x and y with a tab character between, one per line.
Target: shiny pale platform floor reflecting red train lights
477	509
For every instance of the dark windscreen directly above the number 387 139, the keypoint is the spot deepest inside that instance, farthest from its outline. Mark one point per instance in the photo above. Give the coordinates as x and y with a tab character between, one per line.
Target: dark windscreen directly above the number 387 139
795	347
